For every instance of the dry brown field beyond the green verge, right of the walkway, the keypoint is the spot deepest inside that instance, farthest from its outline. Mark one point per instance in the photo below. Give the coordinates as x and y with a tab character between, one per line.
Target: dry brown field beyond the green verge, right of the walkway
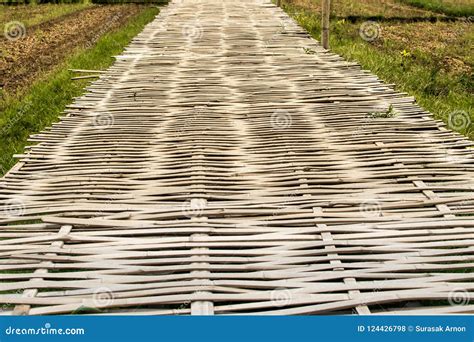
447	44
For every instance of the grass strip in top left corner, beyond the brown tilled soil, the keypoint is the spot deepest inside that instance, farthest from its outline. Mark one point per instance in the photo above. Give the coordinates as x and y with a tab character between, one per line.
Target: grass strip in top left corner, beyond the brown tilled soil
31	15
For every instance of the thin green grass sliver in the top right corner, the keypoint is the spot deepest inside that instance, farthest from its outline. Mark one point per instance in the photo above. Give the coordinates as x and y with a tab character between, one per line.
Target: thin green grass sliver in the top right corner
459	8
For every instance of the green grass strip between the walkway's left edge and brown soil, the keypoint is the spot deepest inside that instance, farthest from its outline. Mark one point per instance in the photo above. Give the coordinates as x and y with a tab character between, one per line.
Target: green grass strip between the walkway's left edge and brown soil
46	99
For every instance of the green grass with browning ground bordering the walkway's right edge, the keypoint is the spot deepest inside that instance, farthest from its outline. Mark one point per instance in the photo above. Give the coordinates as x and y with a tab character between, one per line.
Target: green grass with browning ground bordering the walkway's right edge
430	61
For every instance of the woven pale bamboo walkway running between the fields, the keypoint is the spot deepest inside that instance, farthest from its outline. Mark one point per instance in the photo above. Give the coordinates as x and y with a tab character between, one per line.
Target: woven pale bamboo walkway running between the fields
228	164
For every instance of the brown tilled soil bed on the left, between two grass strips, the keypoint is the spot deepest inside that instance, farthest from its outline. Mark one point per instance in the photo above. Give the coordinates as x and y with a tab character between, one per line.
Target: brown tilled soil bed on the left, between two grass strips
46	45
